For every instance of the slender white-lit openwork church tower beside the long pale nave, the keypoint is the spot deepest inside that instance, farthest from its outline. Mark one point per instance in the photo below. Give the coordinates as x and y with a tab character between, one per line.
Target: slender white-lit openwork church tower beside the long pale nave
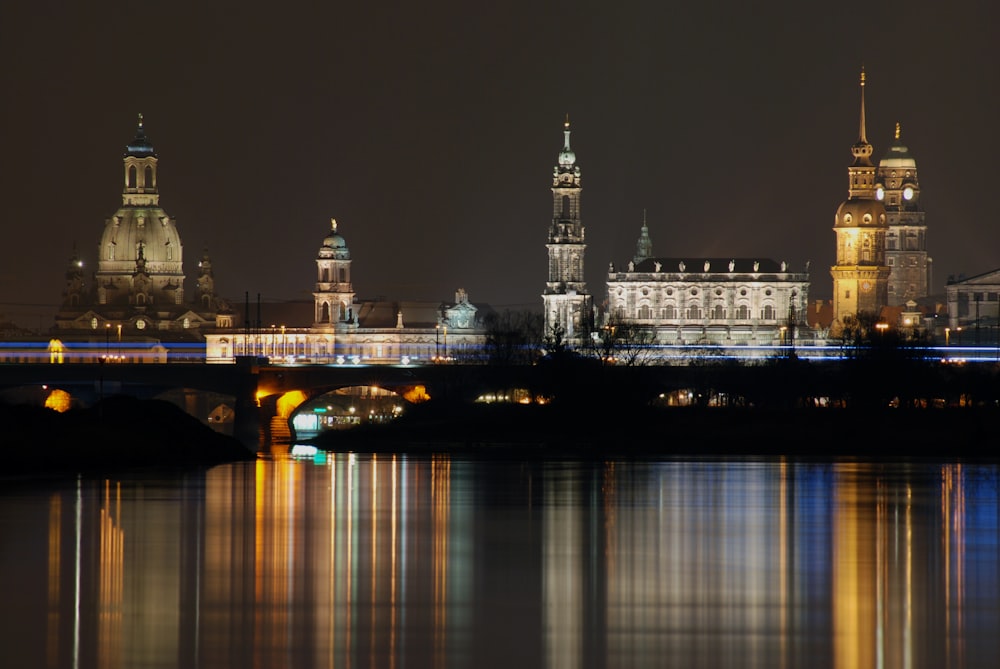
566	301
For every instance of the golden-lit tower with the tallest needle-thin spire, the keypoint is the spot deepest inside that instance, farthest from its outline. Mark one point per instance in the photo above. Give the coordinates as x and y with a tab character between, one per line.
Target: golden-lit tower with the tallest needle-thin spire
860	277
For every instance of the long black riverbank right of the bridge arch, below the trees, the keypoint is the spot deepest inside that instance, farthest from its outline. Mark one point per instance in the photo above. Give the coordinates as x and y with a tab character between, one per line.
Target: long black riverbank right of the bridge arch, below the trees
681	431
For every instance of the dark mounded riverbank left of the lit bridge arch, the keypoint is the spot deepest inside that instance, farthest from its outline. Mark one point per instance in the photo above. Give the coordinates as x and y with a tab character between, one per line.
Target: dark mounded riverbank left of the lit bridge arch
119	433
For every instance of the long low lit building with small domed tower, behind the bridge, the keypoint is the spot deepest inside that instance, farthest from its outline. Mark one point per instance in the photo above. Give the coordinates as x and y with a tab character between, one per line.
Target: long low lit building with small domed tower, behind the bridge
338	328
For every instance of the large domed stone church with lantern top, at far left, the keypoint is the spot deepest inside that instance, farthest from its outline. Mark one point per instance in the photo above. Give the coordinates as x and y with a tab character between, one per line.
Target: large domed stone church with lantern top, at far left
137	289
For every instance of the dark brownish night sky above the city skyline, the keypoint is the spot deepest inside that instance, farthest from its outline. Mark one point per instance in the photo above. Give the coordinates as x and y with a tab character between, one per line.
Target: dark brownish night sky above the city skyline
429	130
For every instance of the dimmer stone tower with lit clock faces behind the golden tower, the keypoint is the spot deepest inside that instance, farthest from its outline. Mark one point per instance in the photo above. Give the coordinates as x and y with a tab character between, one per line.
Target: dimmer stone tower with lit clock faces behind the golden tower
896	185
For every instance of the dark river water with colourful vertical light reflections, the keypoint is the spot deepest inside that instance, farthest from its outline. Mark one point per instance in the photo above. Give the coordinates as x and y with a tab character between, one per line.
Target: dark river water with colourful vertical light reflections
395	561
